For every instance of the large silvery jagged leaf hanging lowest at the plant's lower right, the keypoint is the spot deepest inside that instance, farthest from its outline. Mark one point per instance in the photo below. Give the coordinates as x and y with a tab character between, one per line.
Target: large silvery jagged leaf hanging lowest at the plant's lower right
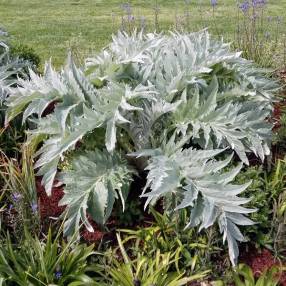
198	182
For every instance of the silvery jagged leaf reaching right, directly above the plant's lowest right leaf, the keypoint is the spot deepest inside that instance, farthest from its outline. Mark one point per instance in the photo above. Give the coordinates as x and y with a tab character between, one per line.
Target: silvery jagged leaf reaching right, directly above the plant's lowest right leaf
217	125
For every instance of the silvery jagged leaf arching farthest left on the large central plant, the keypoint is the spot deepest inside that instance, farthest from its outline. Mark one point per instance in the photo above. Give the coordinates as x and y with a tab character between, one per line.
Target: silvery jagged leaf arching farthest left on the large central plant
34	96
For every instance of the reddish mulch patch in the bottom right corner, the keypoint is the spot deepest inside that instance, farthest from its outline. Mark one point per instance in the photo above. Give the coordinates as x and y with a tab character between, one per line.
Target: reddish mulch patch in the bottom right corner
260	261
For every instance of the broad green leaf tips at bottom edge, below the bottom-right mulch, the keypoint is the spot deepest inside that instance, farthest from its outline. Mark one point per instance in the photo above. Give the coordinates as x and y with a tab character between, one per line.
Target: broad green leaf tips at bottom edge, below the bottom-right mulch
243	275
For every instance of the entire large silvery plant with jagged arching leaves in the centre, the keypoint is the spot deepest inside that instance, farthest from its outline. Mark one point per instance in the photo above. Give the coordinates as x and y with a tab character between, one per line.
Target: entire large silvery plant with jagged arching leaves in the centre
179	106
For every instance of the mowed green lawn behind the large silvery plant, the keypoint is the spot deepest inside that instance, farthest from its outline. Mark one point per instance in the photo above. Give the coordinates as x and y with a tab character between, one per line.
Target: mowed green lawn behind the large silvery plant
51	26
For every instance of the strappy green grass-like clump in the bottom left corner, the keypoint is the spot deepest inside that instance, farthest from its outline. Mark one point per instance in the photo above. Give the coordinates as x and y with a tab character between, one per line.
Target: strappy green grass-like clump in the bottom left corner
36	262
